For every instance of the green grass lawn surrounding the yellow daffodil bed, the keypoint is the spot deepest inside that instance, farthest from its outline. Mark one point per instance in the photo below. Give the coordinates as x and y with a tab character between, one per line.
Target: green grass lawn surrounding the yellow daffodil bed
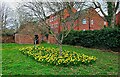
15	63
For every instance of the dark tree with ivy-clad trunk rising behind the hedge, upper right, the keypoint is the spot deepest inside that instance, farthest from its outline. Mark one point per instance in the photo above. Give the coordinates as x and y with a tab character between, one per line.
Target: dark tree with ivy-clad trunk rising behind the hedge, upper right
112	8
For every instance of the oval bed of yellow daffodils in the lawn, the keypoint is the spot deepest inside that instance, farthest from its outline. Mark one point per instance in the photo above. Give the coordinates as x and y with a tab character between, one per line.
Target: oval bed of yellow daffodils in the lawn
51	55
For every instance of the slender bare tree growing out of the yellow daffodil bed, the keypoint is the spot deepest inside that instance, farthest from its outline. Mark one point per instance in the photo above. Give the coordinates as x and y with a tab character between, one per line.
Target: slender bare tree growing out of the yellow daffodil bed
41	11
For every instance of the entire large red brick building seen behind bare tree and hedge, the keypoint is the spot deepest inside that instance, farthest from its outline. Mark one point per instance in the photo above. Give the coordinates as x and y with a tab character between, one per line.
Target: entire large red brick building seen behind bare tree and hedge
87	19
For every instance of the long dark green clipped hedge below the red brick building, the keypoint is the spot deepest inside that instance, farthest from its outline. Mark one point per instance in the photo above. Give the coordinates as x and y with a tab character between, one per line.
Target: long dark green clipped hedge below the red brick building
107	38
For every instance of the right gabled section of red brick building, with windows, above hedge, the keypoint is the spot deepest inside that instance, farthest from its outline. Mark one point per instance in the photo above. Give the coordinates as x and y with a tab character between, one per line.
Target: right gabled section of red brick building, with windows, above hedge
89	19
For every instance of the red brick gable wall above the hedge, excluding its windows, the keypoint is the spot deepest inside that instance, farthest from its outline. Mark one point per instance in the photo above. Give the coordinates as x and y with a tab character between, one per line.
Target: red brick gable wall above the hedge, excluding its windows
98	21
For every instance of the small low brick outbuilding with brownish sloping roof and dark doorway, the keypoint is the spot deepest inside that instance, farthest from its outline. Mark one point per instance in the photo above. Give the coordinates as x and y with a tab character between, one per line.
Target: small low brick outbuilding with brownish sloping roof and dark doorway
27	33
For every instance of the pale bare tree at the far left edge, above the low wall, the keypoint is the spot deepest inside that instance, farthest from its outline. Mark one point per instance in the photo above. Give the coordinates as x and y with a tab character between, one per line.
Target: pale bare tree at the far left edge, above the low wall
8	21
